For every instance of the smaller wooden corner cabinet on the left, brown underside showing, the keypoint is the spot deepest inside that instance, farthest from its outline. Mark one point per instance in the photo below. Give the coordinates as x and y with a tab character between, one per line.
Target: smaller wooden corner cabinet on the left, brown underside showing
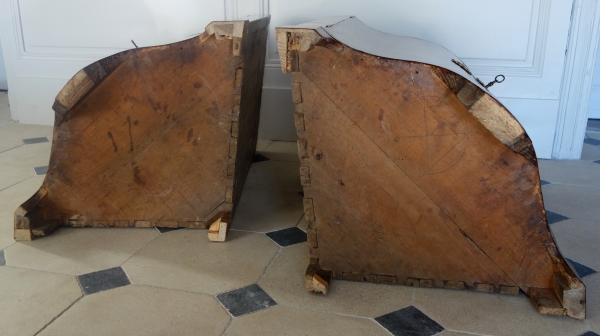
159	136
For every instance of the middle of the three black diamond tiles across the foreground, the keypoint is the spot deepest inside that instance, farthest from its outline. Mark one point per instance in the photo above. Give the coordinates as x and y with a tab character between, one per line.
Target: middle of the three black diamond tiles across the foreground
245	300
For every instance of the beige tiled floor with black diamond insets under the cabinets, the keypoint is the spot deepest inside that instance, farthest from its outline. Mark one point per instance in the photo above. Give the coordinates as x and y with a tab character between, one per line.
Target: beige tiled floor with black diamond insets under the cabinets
174	282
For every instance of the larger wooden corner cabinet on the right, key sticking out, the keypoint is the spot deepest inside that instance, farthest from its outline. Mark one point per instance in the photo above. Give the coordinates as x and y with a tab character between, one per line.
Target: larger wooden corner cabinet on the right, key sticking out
414	173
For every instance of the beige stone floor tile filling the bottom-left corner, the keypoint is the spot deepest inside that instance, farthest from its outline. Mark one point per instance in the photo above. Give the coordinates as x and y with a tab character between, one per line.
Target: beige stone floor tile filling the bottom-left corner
31	299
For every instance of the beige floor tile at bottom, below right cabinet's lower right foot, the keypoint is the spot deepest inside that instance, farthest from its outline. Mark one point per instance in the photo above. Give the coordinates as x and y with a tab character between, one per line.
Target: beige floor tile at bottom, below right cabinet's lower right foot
491	314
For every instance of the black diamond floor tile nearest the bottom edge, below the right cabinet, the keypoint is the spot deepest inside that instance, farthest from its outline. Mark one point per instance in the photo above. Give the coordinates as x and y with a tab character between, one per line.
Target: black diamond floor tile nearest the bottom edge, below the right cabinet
409	321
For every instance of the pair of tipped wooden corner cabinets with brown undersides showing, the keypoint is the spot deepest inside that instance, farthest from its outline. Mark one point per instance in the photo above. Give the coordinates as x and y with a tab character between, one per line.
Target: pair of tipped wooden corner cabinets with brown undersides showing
413	173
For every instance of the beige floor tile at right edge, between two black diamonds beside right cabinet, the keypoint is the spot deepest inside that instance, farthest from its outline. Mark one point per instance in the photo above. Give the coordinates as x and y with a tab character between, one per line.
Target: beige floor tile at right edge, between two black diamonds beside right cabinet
578	240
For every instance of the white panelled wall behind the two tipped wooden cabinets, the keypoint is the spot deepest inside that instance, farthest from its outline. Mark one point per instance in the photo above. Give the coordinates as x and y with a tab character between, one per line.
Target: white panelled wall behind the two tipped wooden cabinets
523	39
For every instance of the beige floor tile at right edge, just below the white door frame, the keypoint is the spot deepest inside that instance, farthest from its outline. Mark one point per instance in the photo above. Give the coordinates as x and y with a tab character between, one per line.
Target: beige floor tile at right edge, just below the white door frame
570	172
